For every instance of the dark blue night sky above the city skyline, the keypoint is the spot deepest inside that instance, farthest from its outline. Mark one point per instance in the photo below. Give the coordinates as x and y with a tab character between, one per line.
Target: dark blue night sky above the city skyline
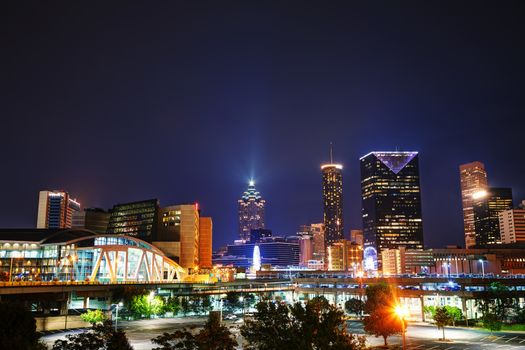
186	101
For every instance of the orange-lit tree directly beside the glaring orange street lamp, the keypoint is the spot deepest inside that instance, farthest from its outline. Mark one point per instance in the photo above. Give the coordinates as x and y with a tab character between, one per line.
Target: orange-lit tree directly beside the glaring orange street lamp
380	304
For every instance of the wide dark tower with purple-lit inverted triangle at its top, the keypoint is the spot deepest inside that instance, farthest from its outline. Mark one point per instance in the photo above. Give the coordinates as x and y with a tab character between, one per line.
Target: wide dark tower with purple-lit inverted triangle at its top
391	200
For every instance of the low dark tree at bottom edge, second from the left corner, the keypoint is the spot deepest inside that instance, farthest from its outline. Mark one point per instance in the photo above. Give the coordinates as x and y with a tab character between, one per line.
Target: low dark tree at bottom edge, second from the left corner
100	337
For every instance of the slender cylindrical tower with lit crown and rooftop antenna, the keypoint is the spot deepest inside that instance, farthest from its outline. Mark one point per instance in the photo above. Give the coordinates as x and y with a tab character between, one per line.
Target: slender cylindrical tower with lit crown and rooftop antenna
332	201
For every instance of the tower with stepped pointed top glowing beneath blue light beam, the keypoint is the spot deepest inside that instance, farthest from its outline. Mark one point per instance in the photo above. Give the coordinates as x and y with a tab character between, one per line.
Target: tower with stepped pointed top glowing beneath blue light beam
251	212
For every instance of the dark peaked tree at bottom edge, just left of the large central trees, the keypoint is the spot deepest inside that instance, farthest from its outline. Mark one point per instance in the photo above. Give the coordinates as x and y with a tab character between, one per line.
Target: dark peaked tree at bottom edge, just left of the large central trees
213	336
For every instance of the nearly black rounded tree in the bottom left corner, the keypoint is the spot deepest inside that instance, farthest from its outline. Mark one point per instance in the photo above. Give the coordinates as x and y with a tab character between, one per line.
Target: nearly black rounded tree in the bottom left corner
18	331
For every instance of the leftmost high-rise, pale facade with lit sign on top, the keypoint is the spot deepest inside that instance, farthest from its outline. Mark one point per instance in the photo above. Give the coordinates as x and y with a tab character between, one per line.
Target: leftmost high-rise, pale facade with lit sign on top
55	209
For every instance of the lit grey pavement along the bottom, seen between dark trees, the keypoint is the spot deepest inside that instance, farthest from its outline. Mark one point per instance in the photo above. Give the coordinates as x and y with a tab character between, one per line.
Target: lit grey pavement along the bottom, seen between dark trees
419	336
